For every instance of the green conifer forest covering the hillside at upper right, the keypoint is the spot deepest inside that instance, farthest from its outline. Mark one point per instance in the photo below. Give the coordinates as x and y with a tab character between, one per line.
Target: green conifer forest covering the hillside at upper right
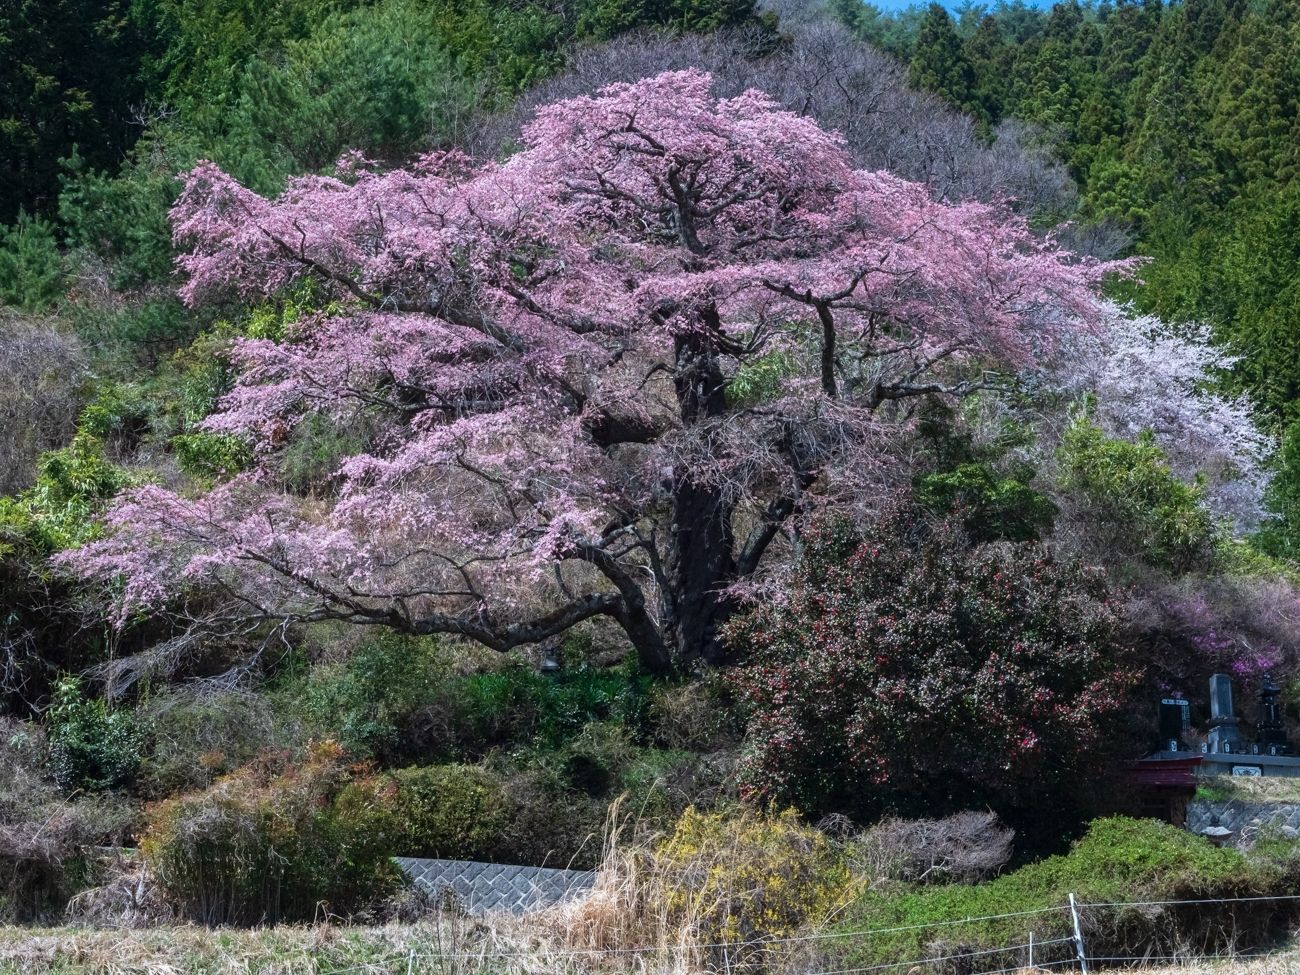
1180	125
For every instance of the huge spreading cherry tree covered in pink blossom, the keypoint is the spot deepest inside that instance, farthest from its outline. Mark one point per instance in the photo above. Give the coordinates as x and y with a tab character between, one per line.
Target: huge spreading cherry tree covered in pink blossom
547	350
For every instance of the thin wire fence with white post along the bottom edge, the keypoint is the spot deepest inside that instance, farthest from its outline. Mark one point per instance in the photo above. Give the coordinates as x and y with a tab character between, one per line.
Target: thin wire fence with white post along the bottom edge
1029	956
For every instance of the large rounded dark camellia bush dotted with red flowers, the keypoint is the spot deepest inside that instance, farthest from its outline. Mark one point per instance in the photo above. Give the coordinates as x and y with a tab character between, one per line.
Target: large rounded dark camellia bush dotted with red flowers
909	671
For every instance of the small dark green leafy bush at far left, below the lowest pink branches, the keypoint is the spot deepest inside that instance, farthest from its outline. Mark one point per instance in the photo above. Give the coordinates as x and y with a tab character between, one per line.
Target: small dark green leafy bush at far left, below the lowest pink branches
90	747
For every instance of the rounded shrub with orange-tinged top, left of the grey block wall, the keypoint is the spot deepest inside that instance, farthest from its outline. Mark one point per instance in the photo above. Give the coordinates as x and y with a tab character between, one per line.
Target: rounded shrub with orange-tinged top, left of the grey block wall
271	843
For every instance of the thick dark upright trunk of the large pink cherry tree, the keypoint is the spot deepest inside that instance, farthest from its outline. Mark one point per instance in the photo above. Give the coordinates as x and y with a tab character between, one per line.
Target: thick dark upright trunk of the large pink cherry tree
701	561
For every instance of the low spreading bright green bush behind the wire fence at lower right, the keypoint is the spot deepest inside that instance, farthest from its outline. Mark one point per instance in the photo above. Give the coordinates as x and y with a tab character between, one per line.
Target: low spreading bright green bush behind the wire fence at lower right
1117	861
